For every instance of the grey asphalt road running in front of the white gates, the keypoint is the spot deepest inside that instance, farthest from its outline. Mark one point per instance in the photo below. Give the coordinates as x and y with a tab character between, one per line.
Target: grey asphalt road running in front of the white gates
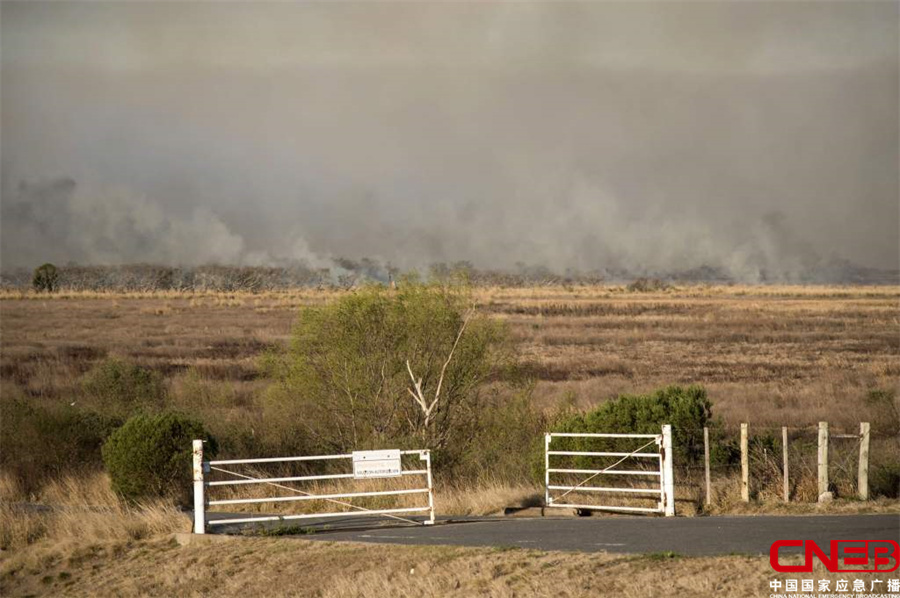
688	535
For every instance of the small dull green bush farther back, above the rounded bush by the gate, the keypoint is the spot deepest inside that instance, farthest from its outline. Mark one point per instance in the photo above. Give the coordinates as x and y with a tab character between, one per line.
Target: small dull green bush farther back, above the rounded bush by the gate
123	387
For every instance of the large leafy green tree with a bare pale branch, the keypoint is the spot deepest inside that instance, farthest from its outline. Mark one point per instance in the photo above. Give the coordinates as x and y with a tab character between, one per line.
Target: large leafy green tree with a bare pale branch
387	366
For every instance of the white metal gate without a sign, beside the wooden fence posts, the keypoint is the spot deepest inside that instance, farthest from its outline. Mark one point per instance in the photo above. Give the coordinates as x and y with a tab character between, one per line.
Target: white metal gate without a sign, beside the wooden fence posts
651	463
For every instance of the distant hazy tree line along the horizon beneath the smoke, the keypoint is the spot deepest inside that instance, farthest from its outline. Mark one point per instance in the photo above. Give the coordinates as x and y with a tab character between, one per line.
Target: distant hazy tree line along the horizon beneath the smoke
346	273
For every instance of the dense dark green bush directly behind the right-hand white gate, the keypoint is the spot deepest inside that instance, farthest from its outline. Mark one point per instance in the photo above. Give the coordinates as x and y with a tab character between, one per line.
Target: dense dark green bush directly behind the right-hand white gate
687	409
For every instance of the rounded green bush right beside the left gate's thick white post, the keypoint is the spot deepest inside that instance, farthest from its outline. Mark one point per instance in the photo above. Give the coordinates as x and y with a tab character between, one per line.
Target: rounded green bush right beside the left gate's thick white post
150	456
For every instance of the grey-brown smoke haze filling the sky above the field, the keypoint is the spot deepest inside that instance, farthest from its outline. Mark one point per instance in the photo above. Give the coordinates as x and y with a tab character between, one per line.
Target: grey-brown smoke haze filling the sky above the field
757	138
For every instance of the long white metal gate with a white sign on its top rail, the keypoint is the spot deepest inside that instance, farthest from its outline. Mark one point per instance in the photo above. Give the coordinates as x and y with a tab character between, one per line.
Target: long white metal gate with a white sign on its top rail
366	465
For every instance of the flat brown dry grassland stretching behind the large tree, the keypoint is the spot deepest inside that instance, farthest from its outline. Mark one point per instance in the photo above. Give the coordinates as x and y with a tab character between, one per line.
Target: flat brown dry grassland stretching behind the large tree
769	355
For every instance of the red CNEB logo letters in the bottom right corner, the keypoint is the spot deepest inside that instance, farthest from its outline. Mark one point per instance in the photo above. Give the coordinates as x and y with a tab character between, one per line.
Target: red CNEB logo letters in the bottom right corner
885	556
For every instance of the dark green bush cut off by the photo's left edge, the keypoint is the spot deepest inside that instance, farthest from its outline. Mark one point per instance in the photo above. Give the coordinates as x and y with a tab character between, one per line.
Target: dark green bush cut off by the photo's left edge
42	440
